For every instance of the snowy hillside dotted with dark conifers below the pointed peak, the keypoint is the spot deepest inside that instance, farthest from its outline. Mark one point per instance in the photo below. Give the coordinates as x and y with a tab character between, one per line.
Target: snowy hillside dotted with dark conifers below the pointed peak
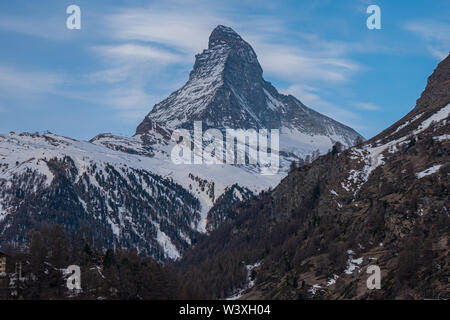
135	200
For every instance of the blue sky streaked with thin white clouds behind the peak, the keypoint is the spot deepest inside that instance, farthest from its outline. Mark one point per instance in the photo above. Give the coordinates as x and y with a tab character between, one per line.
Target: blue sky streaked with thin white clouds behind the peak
129	55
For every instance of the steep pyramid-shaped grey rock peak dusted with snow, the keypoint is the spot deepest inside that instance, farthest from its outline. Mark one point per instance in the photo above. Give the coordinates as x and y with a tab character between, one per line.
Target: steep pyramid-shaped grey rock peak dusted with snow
226	89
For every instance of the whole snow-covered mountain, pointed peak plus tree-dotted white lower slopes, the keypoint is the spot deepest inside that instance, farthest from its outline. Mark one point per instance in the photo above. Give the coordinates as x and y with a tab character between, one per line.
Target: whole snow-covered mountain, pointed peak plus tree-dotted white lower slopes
129	190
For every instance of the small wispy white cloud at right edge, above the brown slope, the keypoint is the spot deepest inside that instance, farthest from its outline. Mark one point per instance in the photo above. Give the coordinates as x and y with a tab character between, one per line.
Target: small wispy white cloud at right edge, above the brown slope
436	36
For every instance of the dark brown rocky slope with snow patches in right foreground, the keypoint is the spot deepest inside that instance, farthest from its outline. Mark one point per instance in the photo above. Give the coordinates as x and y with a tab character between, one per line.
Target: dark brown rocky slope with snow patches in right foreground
384	202
